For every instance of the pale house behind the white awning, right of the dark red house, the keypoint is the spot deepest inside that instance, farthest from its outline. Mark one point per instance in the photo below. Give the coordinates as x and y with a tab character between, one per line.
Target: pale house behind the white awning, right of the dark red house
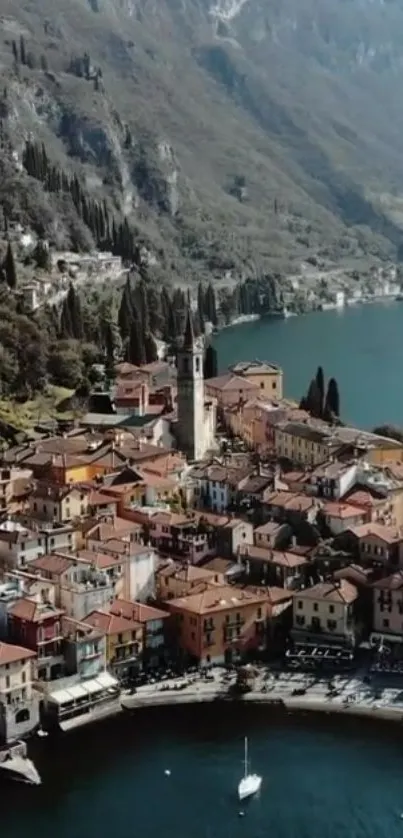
84	648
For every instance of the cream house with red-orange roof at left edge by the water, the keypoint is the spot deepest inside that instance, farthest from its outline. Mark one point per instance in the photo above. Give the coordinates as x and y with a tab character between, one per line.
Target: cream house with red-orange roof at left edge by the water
20	710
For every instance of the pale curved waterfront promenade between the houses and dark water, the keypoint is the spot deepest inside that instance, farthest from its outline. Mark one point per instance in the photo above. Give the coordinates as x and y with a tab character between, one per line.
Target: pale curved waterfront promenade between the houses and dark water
380	699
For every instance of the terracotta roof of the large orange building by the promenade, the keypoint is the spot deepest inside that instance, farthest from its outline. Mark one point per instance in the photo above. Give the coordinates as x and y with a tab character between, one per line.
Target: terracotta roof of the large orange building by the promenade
211	600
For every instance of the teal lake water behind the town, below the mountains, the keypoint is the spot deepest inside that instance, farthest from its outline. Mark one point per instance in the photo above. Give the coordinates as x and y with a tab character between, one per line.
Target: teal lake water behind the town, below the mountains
361	346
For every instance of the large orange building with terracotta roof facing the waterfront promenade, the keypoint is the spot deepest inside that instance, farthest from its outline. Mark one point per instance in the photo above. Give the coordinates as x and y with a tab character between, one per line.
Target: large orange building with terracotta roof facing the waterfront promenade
220	624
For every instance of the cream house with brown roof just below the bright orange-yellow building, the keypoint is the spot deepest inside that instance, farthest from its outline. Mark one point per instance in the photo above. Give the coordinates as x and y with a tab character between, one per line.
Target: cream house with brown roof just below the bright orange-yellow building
56	503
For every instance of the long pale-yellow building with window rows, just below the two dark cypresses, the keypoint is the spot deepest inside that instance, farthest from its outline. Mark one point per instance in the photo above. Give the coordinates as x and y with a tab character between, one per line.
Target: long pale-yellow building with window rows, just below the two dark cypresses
304	444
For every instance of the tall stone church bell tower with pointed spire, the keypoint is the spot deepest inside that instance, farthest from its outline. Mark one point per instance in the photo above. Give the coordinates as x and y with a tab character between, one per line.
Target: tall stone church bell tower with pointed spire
191	394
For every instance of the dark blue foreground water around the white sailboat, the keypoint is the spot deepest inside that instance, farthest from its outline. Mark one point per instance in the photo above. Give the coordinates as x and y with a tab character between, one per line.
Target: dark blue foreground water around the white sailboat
323	778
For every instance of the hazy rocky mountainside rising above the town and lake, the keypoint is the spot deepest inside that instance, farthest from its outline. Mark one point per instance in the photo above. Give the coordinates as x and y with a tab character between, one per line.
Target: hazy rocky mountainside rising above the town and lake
236	136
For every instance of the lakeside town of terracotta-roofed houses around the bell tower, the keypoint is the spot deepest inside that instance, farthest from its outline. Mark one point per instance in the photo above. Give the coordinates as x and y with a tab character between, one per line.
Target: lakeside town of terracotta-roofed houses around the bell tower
189	539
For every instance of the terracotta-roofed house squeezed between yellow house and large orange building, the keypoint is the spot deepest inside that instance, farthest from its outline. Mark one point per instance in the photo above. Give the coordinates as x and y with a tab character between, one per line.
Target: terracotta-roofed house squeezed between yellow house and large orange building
153	621
